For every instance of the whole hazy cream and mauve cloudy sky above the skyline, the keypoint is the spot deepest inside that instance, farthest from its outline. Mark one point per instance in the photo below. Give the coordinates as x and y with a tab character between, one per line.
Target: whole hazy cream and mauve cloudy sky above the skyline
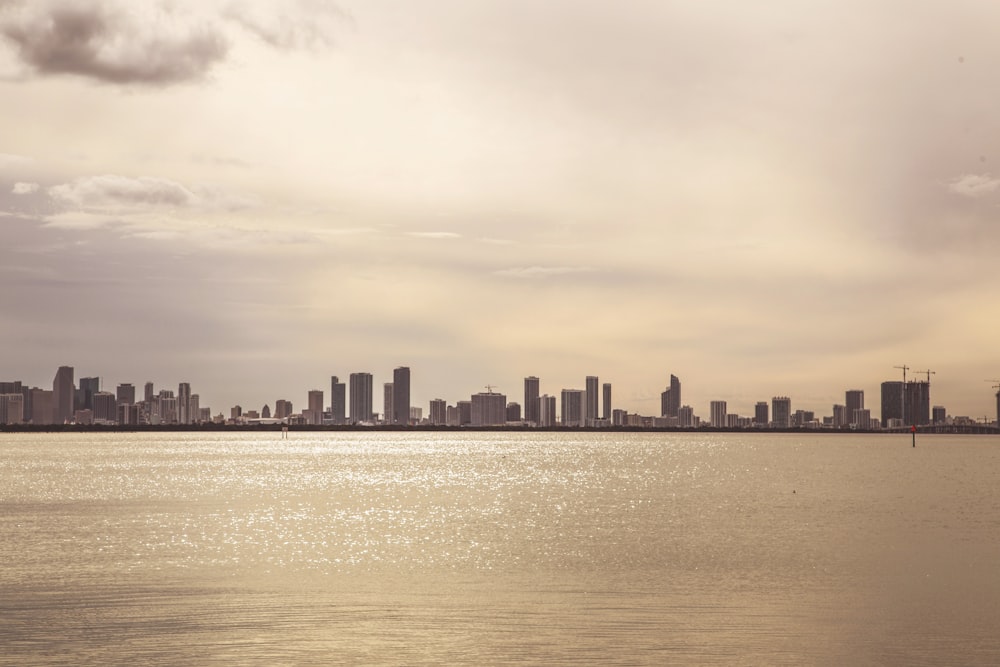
774	198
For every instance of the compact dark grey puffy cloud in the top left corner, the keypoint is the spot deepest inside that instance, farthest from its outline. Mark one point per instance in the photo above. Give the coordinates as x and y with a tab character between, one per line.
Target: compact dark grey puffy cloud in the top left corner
112	42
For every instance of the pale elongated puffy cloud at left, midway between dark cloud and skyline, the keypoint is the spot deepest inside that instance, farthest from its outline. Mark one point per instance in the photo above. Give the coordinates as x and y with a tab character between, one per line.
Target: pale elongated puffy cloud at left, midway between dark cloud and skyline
110	192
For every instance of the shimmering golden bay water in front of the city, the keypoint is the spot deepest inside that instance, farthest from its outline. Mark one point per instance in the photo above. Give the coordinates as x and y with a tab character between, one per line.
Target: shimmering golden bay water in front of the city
498	548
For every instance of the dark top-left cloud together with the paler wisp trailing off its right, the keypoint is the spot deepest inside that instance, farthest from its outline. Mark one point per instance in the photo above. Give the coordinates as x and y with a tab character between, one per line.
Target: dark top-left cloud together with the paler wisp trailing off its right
153	43
